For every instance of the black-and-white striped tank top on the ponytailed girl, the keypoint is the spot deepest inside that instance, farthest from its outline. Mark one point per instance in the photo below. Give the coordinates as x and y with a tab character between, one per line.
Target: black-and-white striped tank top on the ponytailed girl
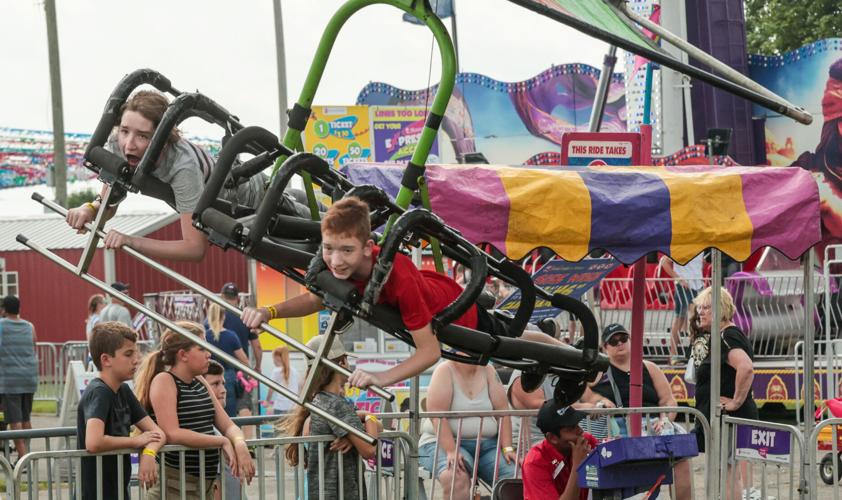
195	412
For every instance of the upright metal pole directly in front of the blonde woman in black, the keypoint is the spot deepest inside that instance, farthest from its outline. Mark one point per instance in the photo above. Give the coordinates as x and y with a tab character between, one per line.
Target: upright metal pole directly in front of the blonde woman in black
715	372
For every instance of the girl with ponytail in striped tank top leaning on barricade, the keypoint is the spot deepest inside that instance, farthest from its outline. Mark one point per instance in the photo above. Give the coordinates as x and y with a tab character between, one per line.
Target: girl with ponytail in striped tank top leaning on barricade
171	379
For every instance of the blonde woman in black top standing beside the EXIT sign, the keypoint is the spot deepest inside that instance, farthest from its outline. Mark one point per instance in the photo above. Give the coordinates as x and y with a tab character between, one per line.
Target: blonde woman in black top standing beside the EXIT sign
736	370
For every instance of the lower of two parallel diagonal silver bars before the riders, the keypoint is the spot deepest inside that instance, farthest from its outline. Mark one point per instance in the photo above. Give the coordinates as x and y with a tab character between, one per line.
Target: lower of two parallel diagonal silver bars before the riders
200	341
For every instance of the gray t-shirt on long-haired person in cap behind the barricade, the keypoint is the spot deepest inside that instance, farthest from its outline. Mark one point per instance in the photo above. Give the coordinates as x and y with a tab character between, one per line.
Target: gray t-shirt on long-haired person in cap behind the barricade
344	410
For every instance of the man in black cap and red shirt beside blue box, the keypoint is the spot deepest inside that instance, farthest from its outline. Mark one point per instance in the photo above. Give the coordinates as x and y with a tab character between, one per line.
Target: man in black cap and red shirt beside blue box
549	469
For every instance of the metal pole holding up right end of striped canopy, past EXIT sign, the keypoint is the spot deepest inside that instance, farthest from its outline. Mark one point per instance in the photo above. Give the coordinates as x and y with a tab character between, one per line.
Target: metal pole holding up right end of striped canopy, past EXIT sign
809	361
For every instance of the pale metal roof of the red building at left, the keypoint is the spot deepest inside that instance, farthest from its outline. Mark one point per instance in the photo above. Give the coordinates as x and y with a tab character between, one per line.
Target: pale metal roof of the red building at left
52	232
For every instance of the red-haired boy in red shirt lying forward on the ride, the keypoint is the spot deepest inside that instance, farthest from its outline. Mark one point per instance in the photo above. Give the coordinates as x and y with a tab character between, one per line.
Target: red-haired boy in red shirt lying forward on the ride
350	253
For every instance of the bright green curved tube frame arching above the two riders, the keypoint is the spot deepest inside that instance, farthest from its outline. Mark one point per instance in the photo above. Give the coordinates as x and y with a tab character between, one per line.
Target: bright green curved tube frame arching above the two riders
418	8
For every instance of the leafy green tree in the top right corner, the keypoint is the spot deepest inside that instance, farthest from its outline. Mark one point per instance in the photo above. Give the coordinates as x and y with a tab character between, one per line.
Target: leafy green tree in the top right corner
774	27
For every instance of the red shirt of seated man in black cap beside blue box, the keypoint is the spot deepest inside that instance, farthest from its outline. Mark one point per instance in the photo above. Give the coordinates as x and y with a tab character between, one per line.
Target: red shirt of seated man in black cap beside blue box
546	472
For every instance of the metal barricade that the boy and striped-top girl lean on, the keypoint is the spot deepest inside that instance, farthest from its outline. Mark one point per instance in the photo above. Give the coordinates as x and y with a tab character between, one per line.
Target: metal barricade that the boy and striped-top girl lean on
273	479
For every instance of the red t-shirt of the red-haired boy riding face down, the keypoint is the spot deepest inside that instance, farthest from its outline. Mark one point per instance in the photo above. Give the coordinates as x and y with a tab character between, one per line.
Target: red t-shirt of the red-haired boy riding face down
419	294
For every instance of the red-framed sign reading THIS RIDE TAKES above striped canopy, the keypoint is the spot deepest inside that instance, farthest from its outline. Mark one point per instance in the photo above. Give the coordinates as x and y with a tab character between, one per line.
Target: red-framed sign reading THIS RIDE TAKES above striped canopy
592	149
